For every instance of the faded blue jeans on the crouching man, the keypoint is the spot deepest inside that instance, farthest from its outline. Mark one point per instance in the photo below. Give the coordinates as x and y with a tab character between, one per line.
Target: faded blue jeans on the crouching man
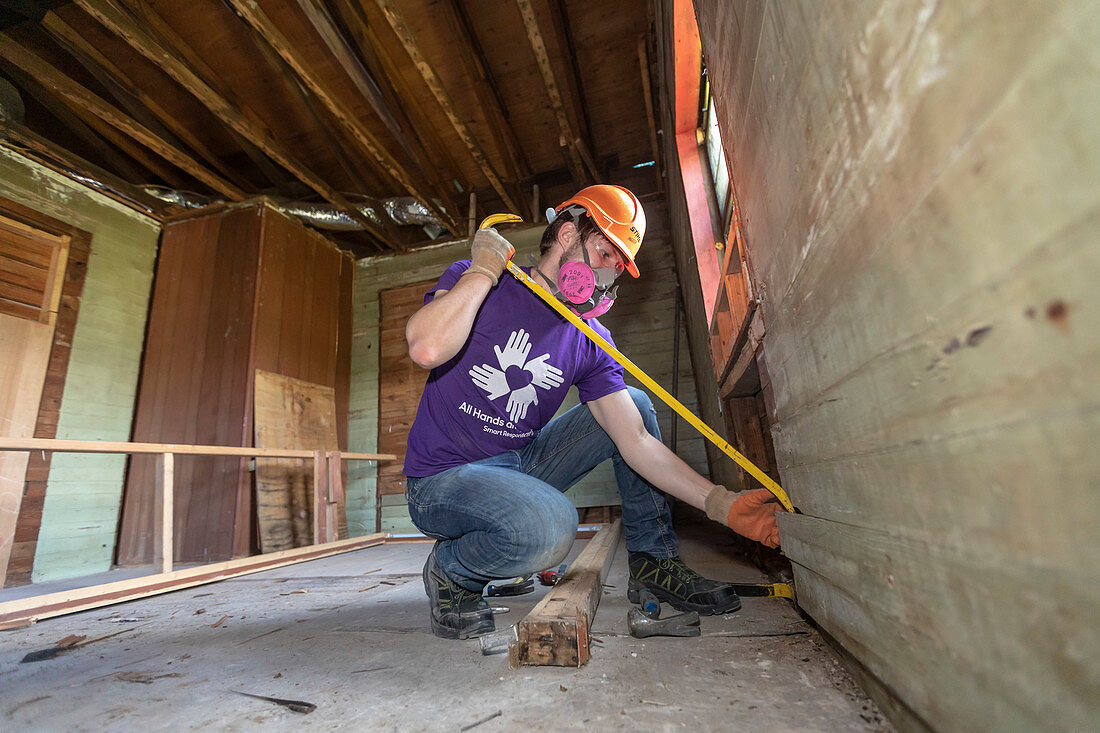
507	516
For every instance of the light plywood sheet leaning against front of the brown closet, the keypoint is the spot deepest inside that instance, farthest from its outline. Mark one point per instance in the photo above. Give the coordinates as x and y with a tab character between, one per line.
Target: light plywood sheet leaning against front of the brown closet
290	413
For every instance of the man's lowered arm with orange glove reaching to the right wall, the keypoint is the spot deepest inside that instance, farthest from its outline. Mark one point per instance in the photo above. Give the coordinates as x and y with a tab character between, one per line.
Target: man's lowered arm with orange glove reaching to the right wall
752	515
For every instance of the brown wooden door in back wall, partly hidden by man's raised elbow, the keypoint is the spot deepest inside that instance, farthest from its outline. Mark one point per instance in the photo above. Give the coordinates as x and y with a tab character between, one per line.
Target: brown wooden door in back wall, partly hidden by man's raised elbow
401	381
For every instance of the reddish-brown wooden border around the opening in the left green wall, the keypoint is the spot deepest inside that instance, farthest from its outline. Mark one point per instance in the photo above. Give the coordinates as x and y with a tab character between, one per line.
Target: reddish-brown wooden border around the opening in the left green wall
21	562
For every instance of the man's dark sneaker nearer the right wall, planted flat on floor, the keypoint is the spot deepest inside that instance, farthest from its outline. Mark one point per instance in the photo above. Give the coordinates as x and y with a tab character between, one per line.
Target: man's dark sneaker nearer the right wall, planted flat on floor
677	585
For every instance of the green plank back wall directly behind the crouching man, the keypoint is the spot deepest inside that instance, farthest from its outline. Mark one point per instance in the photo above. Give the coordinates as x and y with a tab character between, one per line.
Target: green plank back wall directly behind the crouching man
642	324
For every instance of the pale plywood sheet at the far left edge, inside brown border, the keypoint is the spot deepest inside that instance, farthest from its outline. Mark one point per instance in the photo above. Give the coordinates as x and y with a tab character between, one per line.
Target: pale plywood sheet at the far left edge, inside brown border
25	352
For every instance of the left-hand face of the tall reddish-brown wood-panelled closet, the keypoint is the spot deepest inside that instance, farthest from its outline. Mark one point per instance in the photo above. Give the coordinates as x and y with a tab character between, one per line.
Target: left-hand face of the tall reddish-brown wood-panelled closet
193	382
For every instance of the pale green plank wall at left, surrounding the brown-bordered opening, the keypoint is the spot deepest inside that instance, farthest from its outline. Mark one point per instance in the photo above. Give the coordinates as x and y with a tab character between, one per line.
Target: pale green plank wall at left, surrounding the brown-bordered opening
82	506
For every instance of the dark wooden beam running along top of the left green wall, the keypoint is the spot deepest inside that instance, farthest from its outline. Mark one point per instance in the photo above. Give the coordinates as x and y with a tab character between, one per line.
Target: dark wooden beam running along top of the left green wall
56	158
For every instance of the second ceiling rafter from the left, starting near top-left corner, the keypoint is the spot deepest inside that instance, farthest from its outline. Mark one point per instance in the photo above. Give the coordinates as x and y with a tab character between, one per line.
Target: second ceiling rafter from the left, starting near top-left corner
105	69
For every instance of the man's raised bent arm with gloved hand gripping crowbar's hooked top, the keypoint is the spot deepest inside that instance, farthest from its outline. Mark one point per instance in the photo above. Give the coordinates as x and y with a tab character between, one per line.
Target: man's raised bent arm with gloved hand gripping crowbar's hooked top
439	330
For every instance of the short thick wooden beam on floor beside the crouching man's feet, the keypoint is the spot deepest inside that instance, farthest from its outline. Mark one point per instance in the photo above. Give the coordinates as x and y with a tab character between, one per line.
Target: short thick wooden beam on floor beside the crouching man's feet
558	631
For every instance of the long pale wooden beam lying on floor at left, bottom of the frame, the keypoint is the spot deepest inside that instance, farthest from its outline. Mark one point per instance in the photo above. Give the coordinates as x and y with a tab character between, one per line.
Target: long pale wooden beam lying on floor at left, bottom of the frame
36	608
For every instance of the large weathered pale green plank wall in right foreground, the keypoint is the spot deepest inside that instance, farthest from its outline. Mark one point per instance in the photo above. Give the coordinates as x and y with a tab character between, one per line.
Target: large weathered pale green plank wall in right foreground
920	187
